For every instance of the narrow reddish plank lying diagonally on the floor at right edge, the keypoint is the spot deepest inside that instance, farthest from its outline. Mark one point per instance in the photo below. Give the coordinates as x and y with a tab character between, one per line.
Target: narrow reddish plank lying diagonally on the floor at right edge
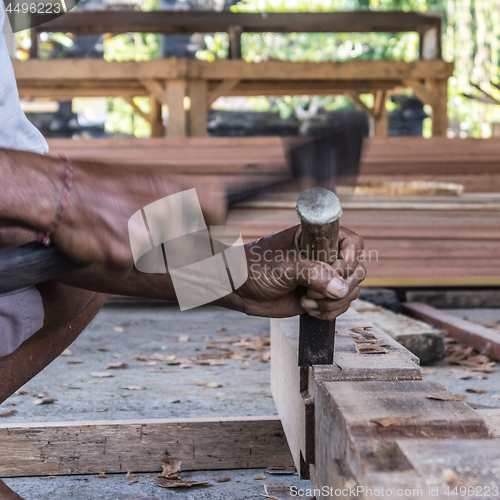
479	337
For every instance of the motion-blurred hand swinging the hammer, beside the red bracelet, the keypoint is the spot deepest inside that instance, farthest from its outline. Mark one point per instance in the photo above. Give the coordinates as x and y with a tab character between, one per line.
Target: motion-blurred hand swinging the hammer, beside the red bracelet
94	227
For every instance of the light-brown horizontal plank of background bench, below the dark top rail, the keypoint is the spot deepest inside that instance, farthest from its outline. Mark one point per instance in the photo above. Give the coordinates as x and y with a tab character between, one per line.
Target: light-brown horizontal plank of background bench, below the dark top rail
71	70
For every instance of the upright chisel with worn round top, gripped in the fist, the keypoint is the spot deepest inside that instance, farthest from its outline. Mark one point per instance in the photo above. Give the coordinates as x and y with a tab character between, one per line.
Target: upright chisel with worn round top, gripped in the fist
319	211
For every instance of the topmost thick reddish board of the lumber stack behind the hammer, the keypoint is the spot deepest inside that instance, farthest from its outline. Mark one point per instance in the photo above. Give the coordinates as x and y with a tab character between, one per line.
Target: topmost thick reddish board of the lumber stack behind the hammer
473	163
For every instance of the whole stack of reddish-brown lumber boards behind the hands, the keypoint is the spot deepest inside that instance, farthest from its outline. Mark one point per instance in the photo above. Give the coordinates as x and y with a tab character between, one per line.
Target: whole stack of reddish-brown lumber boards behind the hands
410	241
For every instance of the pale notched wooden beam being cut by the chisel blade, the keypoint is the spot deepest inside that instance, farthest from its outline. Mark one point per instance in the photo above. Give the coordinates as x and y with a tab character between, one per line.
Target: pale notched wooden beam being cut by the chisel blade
290	383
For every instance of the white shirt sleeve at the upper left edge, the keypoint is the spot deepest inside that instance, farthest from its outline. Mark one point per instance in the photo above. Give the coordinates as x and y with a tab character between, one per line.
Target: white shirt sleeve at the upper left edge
16	131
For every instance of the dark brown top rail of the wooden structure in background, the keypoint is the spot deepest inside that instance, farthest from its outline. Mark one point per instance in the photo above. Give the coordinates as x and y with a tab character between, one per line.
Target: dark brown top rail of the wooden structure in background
124	21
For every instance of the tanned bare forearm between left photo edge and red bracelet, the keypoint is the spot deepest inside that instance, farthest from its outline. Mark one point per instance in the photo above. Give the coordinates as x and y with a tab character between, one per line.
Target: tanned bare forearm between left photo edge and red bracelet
30	188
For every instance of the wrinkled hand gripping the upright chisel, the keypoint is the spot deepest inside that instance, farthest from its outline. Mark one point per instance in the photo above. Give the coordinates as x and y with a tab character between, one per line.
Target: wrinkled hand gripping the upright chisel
282	283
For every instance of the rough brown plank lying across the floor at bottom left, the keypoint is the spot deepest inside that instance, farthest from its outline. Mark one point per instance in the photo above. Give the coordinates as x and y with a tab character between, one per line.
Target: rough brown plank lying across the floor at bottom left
90	447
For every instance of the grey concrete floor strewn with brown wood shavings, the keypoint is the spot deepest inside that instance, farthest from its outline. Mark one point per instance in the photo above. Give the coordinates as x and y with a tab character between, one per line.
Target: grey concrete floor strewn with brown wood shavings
123	330
